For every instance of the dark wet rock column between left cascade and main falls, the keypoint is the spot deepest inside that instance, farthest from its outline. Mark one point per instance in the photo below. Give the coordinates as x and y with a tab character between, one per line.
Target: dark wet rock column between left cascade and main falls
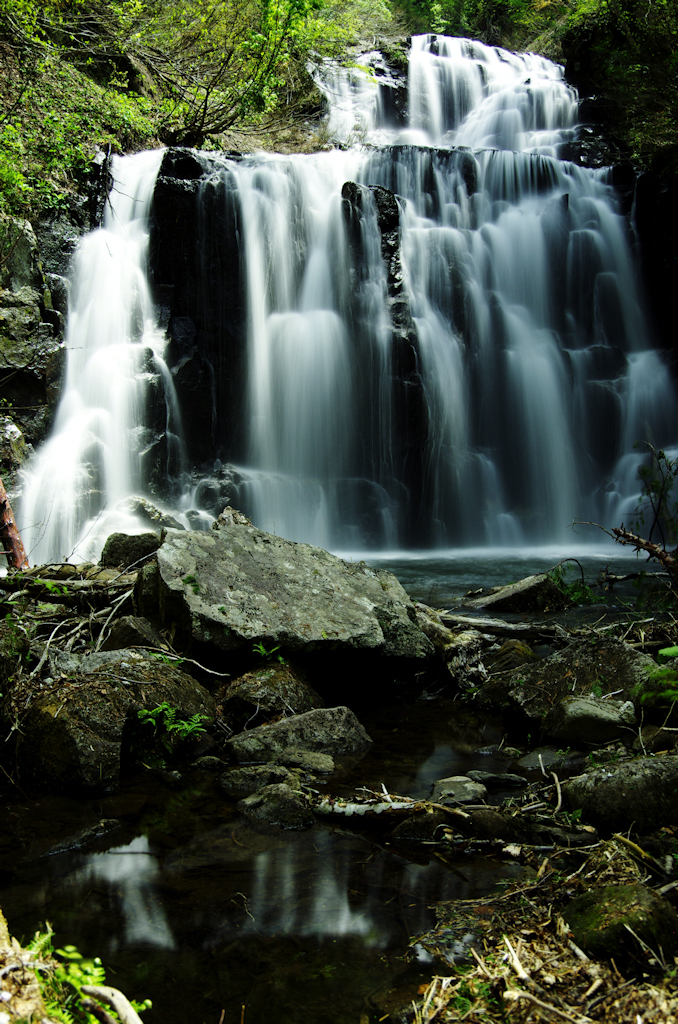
197	280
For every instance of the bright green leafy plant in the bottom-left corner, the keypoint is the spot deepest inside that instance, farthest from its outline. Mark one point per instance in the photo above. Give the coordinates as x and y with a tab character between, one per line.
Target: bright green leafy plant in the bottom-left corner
62	984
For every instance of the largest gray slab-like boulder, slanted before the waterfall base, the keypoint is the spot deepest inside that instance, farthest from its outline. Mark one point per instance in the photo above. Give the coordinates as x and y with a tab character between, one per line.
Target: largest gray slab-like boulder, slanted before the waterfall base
237	586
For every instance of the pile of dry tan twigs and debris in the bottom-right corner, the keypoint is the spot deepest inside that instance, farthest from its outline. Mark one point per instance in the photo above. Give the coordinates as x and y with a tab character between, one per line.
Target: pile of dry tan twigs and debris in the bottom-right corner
526	966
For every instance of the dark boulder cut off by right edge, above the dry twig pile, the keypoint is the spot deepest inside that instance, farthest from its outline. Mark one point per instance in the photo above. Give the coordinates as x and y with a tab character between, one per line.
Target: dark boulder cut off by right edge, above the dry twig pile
642	795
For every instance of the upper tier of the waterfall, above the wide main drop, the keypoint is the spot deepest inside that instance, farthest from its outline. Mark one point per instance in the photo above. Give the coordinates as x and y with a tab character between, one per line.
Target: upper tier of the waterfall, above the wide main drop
459	94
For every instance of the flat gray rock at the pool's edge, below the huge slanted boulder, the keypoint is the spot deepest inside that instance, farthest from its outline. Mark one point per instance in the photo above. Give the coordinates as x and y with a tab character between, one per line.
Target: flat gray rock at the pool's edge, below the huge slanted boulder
328	731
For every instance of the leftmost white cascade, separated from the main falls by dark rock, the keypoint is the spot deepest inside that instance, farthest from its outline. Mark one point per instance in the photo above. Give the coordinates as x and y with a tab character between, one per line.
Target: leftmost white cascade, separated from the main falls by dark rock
118	396
